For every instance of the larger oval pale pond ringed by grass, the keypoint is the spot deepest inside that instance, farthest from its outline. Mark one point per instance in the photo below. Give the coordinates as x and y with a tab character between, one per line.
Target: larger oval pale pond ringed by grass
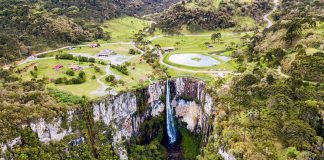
194	60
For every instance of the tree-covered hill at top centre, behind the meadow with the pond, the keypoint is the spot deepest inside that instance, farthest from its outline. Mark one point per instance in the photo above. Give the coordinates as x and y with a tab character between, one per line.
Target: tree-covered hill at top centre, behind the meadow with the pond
196	18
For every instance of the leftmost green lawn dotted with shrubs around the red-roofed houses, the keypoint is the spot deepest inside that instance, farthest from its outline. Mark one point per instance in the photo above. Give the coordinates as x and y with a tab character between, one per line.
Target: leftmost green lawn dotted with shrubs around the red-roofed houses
45	69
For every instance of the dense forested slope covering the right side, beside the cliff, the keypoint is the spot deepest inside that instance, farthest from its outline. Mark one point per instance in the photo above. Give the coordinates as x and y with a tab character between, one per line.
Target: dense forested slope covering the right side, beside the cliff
269	115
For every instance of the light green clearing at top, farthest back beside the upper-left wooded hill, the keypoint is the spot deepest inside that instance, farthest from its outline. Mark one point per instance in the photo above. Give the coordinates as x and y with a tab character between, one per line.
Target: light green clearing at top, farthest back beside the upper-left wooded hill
122	29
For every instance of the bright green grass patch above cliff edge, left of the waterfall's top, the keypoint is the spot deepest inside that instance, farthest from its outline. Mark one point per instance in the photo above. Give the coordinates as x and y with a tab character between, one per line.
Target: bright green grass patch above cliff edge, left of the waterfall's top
139	73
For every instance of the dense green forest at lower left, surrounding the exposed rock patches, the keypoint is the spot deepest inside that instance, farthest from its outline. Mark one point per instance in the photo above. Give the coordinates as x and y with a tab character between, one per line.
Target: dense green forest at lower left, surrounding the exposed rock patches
22	103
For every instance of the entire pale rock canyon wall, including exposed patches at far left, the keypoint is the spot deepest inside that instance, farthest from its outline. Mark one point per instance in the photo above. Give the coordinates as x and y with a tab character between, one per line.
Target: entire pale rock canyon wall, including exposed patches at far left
126	111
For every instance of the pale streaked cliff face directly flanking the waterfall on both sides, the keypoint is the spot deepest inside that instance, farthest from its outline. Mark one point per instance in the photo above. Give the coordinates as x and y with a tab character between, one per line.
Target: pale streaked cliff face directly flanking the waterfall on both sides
192	104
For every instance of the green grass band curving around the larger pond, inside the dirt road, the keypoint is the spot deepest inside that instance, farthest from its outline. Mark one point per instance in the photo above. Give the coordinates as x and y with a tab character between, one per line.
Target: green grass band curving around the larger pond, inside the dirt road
230	65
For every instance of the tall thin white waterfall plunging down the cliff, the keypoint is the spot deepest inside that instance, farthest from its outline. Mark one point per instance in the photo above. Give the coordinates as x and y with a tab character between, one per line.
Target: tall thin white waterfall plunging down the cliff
170	122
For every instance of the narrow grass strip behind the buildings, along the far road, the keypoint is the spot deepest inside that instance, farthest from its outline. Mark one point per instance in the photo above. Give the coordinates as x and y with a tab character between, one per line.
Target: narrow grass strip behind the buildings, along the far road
117	48
